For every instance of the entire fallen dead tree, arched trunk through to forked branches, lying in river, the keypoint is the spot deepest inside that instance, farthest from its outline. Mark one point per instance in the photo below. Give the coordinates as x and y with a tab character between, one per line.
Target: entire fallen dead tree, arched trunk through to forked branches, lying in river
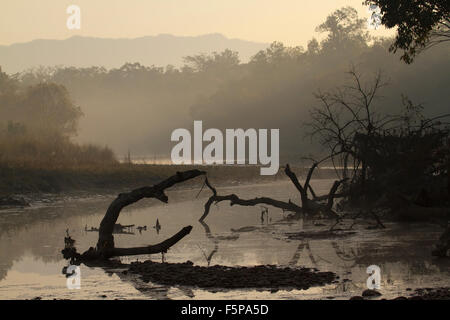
106	248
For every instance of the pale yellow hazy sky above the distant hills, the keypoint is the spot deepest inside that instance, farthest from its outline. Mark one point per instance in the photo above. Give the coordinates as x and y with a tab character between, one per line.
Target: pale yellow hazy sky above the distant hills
289	21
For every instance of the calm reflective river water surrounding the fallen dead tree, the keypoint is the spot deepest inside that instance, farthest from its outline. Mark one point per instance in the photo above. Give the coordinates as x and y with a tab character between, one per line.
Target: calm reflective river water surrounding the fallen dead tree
31	240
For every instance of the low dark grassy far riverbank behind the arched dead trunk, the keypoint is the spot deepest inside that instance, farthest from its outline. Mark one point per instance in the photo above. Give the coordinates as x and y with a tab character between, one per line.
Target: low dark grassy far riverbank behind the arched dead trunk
118	177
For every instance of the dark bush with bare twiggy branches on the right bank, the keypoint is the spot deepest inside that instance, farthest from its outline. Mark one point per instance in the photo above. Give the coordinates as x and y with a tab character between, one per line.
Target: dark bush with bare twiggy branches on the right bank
382	154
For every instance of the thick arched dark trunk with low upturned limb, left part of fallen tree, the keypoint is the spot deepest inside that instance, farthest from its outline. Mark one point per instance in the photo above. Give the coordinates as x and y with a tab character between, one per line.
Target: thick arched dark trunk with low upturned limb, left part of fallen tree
105	247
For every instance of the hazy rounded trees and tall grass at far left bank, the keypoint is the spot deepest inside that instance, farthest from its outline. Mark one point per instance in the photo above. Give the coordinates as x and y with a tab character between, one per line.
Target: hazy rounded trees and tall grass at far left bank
37	127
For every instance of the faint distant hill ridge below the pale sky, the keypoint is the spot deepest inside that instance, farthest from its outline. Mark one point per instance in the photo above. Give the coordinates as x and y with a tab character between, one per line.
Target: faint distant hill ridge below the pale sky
78	51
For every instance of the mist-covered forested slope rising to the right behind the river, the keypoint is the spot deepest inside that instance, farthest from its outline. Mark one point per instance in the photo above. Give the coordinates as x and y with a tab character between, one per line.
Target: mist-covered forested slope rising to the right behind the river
136	107
